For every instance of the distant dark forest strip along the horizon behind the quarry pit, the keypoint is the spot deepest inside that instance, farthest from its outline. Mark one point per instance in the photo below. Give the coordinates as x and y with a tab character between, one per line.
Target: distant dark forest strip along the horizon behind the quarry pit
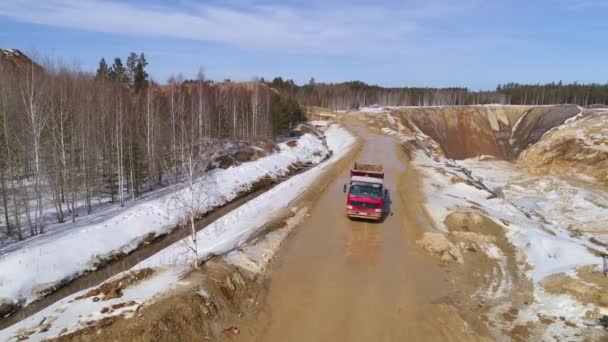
355	94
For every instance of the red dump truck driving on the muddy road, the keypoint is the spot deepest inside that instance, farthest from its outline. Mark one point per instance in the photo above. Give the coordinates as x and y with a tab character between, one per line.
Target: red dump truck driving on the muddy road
365	192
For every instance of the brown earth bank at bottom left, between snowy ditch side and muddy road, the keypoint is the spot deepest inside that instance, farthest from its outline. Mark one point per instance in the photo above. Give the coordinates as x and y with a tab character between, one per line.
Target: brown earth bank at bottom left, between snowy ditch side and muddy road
188	314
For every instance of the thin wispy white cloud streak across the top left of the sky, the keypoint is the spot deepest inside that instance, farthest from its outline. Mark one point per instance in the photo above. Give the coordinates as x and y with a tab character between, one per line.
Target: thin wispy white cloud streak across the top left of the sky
334	29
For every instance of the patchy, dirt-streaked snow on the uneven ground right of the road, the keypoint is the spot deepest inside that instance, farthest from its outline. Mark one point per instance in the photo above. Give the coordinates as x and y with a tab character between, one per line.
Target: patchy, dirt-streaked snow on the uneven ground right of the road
550	221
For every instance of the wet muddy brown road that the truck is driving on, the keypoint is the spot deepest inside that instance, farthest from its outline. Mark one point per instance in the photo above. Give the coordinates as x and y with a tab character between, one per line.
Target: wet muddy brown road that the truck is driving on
337	279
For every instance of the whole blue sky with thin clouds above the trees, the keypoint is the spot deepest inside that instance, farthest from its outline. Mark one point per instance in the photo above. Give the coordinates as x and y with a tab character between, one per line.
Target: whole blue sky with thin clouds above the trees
472	43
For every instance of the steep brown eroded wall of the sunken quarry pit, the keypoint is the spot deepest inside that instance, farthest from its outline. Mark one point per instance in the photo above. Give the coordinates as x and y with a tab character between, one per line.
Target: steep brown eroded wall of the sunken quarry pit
470	131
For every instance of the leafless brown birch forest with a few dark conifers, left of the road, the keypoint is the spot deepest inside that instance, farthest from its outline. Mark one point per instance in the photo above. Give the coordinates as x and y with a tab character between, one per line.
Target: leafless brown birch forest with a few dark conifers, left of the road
70	139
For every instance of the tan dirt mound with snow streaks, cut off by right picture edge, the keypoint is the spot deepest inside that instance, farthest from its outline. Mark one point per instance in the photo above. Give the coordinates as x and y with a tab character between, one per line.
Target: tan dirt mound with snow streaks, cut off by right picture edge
577	147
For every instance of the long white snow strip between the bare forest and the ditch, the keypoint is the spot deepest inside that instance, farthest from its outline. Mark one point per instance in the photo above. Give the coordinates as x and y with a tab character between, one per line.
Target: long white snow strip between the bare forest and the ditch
59	257
